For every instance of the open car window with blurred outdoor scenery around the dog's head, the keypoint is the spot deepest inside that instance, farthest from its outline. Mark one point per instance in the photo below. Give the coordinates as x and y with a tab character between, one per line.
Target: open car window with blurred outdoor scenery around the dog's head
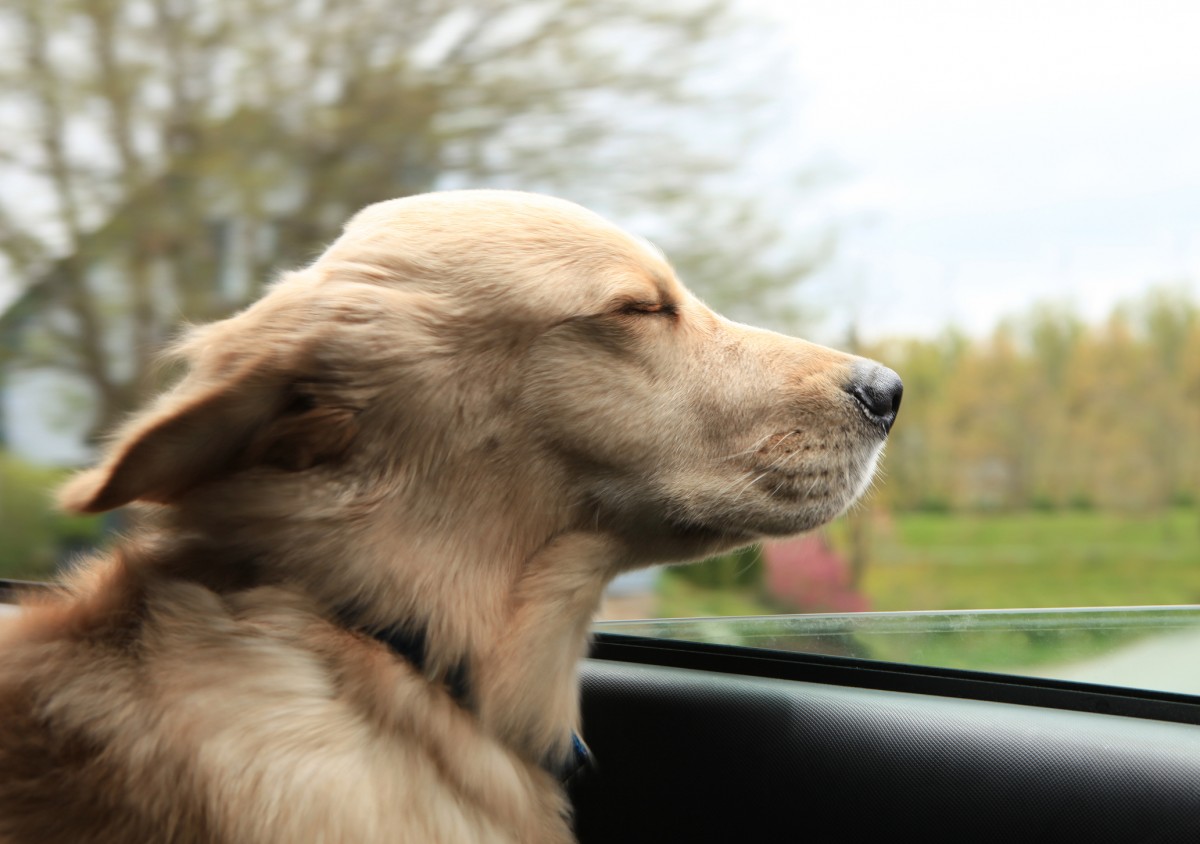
1000	203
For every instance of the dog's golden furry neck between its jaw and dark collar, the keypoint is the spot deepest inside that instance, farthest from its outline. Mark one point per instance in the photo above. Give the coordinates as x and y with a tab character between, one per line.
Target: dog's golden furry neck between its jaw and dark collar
503	621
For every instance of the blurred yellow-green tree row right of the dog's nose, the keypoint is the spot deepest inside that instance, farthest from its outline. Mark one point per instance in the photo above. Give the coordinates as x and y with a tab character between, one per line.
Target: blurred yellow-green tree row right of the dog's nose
1051	414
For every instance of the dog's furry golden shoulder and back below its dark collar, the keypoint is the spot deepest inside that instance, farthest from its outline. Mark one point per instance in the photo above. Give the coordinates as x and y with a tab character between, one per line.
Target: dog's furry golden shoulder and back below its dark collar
136	709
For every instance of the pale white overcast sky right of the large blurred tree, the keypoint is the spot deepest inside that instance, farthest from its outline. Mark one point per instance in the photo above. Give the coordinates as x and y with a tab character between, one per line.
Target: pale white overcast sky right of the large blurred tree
993	155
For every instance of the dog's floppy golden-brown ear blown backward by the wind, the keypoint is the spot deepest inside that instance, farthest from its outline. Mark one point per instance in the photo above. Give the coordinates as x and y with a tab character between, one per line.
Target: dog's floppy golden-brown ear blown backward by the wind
260	415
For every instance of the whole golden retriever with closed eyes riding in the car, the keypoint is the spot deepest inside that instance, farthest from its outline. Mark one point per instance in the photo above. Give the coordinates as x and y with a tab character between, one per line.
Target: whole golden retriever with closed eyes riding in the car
375	519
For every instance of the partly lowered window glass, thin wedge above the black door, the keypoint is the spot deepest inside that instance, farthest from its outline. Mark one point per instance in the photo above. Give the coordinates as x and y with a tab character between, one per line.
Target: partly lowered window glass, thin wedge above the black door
1142	648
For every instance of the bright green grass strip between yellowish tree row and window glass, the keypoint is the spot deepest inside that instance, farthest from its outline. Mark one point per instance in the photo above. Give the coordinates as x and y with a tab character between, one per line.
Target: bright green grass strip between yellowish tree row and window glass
1033	560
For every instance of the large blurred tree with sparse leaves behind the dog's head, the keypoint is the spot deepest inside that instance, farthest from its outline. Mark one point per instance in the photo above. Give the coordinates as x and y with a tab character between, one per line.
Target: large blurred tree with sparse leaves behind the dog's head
171	154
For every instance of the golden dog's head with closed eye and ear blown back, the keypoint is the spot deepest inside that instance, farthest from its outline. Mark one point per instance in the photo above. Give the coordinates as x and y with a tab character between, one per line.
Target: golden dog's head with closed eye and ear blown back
511	362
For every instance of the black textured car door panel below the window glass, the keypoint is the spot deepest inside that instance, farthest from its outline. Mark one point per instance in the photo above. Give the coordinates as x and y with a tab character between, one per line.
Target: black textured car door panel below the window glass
687	756
